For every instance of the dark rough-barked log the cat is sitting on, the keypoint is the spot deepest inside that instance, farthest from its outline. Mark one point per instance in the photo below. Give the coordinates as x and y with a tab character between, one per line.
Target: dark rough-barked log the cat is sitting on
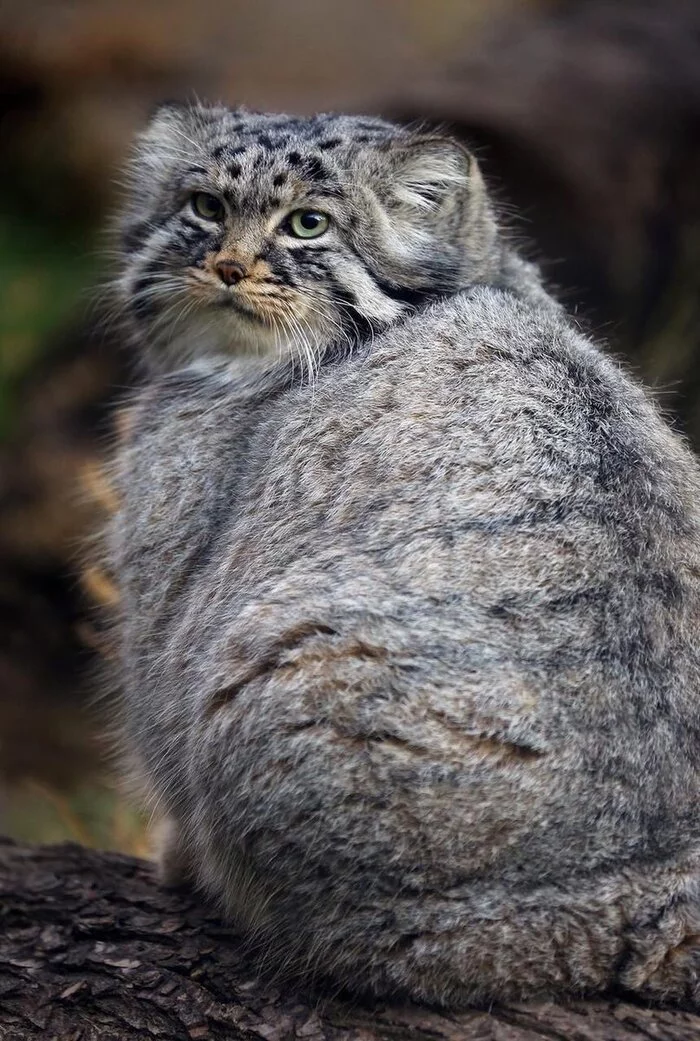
92	949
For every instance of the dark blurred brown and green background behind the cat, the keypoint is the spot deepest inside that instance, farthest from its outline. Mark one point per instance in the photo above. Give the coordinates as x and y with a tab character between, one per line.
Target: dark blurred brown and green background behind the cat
586	115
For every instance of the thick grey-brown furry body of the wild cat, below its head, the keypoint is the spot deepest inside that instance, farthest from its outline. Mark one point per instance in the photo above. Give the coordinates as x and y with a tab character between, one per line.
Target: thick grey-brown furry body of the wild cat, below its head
410	663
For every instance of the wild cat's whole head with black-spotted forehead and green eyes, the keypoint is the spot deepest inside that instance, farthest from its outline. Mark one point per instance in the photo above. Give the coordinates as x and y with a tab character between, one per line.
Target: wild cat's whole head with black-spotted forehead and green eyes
273	234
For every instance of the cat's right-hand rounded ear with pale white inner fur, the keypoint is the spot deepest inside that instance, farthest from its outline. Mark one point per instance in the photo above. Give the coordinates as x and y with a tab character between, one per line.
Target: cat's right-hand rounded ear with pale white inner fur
433	174
